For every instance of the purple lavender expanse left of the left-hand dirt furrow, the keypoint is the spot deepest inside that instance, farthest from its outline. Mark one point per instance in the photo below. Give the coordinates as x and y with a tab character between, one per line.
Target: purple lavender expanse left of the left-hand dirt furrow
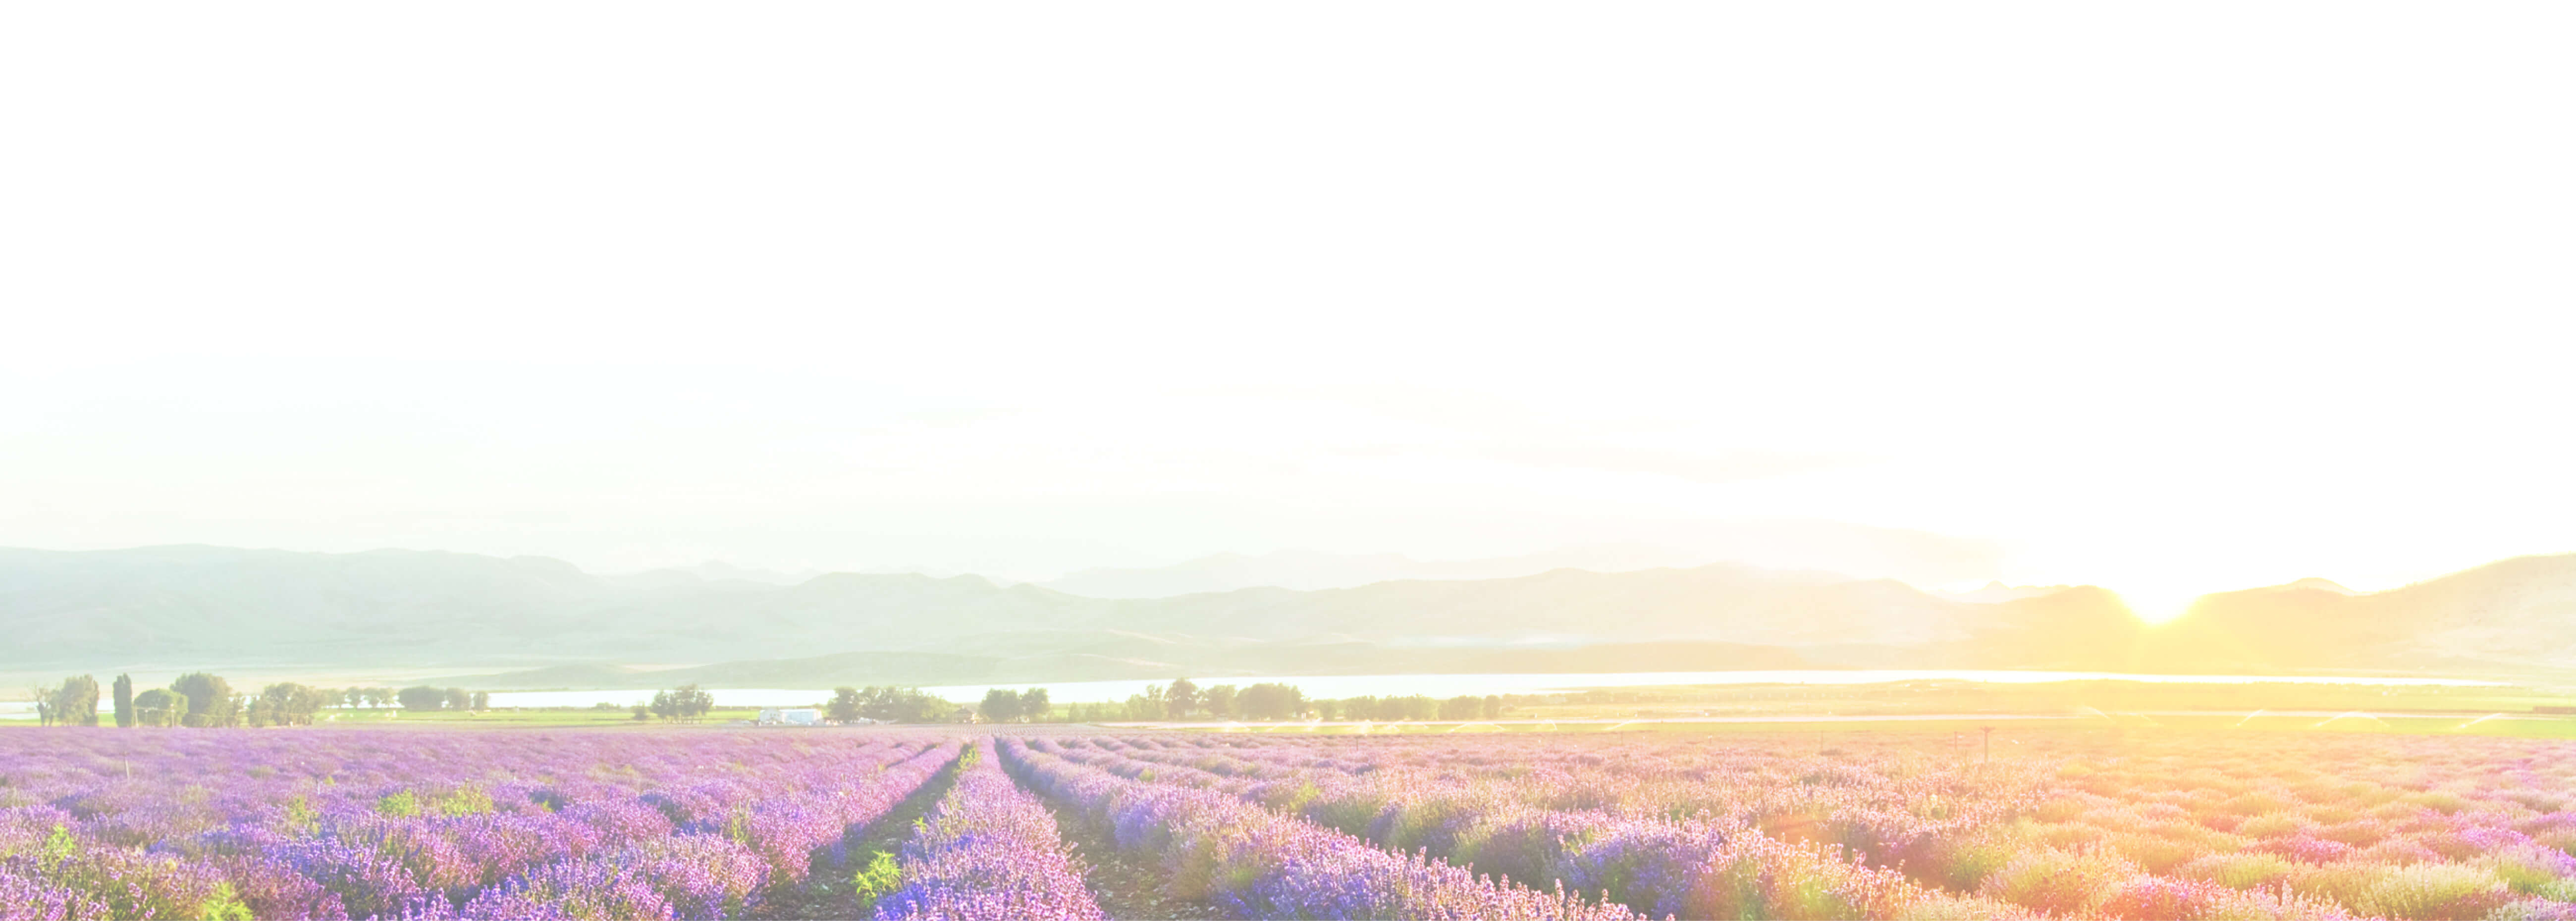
380	825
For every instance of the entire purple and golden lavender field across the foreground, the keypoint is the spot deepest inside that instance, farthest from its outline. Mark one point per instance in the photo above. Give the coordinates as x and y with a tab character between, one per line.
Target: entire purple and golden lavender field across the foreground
782	825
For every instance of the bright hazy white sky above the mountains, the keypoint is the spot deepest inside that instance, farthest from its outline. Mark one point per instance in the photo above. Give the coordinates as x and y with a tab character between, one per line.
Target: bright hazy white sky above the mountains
2170	300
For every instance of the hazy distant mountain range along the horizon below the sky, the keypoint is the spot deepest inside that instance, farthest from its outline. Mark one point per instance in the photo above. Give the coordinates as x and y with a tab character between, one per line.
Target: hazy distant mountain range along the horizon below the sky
194	606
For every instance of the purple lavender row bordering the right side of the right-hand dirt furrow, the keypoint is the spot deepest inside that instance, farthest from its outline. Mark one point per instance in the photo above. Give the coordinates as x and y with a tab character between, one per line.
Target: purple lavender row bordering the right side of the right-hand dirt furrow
1248	863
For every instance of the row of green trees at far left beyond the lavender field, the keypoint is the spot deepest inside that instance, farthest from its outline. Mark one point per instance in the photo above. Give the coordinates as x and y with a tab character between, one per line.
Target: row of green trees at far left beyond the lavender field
207	701
